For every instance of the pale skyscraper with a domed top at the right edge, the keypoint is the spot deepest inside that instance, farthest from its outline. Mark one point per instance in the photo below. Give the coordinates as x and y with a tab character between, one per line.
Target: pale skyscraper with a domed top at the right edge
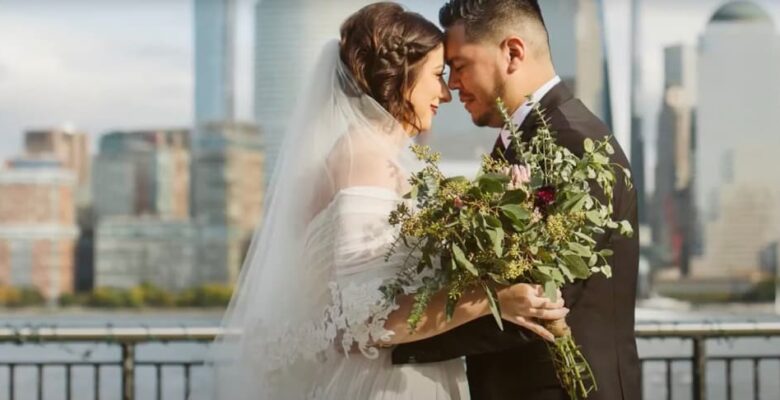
738	95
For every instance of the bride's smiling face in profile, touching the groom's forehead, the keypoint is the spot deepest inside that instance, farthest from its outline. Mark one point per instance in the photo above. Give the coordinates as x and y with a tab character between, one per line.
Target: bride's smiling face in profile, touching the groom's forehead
429	89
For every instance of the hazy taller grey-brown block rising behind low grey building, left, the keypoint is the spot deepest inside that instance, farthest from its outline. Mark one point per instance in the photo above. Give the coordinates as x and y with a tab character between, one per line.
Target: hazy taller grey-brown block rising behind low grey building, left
154	167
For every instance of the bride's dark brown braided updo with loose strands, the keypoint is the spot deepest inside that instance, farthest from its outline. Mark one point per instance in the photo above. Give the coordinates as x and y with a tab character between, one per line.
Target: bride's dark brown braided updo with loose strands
383	45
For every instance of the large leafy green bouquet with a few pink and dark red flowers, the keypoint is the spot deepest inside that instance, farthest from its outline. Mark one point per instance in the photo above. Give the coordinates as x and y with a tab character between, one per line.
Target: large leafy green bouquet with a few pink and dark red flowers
533	223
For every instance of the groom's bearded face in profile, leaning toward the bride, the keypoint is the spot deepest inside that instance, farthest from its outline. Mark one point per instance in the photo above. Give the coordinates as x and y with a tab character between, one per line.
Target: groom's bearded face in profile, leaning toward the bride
475	74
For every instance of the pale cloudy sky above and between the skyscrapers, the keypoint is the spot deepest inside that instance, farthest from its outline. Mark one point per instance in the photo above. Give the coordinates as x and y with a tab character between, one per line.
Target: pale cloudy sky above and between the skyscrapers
126	64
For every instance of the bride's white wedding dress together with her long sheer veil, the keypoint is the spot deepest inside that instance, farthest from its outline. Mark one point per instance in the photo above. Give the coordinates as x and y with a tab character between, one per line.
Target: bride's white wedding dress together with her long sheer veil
308	308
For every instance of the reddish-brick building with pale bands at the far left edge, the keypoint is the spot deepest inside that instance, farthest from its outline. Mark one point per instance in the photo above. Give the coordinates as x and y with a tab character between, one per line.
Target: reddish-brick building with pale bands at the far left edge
38	229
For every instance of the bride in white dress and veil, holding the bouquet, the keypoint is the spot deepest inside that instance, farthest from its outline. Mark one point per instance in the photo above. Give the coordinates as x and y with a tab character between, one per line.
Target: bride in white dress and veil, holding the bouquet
313	321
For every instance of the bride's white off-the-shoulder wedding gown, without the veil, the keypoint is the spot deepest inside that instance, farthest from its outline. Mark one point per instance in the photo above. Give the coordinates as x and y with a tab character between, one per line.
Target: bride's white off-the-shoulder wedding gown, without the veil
354	231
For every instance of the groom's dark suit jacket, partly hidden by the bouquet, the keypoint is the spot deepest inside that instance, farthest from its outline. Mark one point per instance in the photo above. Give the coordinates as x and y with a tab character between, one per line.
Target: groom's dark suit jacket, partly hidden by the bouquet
515	364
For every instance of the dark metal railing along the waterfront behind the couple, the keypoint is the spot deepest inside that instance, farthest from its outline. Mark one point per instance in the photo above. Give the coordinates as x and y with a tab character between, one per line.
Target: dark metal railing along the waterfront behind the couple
129	338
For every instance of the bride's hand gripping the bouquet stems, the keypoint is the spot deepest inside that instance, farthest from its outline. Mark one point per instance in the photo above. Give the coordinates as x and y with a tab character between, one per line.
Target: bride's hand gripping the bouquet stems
524	304
